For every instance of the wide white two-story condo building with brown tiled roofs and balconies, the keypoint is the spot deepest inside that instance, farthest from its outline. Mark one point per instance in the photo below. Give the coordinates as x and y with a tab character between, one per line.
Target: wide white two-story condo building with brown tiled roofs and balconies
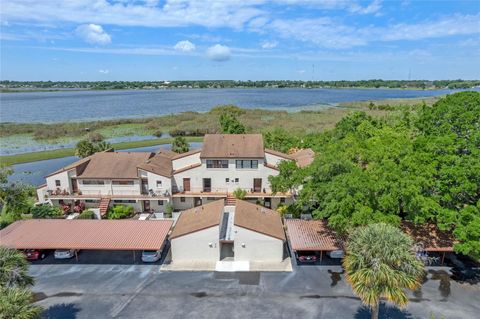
150	181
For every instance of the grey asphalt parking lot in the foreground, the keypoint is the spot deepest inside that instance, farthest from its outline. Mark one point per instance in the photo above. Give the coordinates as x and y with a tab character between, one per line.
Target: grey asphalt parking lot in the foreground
69	289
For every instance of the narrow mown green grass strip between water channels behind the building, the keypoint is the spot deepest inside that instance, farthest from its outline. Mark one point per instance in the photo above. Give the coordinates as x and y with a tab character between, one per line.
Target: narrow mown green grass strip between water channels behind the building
46	155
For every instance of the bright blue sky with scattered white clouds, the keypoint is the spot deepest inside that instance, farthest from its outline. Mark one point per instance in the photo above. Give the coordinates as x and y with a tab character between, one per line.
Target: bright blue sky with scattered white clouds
134	40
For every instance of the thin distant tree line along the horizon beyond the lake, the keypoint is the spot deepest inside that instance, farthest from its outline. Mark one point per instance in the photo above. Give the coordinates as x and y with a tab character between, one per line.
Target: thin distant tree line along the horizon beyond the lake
119	85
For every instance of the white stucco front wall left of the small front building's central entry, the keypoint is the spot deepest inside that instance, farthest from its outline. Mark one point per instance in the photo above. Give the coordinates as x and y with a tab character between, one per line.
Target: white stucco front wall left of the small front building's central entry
195	246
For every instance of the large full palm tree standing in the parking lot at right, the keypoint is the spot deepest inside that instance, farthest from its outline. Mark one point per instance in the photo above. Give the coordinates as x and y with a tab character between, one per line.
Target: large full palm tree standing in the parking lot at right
380	262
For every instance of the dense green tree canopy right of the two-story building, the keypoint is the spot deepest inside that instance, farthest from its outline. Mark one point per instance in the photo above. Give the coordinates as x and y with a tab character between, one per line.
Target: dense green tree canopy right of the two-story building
420	165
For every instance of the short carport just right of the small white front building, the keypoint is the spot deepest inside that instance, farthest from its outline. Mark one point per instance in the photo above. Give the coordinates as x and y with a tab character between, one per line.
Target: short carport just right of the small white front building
313	236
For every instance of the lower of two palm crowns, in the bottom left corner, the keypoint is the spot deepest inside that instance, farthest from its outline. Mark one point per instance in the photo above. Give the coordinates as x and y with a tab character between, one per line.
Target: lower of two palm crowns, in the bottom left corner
17	303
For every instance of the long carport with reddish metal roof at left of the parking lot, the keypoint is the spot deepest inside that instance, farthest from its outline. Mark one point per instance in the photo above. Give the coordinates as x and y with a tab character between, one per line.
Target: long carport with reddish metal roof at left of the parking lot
86	234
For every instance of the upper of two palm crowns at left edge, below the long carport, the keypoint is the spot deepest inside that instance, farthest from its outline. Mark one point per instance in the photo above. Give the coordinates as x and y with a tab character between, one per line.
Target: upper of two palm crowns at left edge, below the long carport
13	269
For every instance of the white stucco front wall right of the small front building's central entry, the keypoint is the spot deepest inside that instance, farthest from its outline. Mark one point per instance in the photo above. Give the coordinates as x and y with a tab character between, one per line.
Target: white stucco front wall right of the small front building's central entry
258	247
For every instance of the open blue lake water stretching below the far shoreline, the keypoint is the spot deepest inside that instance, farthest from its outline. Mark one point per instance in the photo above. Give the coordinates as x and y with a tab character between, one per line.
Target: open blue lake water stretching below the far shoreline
96	105
